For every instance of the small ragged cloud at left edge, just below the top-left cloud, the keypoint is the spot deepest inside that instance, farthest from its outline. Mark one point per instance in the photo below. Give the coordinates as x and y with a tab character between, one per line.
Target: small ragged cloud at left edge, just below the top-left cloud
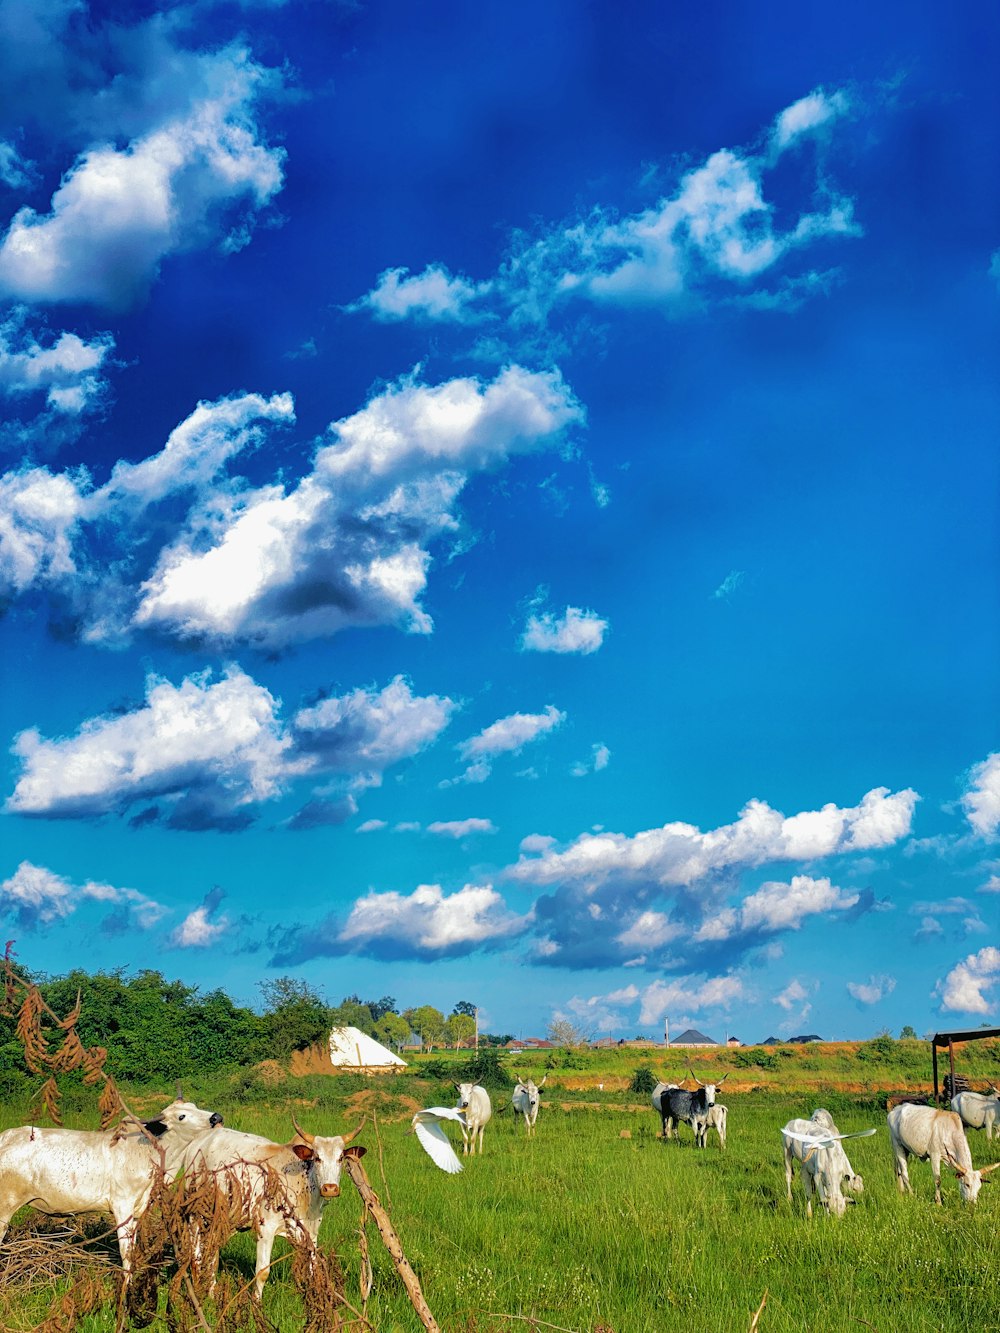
67	371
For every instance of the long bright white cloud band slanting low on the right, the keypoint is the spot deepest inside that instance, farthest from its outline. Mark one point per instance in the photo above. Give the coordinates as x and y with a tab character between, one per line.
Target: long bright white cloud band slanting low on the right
681	855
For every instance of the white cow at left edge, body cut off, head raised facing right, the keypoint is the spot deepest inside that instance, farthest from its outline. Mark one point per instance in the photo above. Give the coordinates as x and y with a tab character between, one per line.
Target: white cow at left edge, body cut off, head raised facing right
65	1172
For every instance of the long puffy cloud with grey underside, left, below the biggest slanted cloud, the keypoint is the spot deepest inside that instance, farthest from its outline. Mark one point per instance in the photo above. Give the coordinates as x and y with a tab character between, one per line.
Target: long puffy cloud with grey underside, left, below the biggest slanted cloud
206	754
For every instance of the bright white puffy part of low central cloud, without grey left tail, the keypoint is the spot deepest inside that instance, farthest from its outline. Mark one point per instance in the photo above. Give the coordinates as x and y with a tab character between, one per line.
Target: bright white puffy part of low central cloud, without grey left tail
431	922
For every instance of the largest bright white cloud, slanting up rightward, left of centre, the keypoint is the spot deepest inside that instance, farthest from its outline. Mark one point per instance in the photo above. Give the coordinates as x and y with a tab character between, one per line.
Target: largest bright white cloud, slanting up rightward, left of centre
349	546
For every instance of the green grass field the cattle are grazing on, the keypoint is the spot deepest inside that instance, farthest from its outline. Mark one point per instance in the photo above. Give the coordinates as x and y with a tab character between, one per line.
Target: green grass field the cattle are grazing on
581	1230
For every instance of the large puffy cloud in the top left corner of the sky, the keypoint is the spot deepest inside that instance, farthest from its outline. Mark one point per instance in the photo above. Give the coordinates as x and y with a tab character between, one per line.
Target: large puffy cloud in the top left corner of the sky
119	213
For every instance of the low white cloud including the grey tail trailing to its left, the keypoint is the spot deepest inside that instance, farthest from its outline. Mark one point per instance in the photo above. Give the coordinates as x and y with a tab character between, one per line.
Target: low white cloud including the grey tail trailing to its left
426	924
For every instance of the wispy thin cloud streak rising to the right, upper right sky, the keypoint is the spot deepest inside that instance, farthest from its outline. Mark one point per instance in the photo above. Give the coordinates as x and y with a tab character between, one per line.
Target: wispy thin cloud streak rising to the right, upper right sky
717	237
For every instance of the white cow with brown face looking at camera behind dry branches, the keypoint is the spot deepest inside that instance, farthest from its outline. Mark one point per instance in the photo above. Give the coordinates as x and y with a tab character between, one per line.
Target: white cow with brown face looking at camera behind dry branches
273	1190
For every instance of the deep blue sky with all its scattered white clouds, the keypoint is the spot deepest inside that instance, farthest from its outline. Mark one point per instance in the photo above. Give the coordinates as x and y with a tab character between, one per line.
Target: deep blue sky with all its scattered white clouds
499	503
